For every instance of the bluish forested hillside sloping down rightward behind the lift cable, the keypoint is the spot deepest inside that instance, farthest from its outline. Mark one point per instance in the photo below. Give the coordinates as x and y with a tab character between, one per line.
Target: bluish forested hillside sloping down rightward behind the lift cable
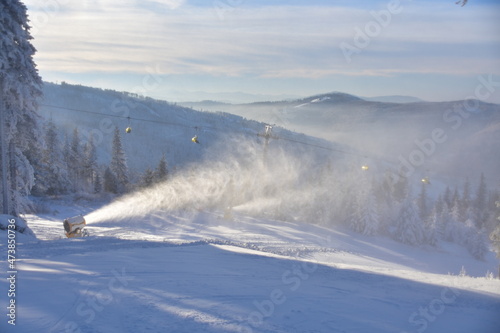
158	127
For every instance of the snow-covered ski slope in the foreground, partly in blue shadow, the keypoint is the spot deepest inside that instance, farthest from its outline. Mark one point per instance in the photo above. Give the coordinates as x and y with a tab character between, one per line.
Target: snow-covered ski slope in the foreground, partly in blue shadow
178	271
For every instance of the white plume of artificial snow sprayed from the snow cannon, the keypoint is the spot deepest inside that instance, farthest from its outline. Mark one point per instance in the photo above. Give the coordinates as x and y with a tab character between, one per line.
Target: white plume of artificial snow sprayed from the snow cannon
283	183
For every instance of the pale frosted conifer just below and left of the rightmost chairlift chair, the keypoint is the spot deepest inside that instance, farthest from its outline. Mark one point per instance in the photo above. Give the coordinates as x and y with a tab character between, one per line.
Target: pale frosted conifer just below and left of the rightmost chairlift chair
409	228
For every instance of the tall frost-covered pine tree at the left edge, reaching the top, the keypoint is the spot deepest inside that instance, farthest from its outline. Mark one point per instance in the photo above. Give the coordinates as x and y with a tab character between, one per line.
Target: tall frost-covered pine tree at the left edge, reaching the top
20	87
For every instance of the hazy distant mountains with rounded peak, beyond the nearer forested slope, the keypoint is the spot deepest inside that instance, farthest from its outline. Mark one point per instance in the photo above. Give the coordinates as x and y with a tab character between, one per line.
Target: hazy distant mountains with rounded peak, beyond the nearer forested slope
393	131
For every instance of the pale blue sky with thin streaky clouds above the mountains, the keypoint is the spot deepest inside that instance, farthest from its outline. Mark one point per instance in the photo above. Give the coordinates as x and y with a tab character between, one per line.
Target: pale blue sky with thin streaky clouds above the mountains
171	49
